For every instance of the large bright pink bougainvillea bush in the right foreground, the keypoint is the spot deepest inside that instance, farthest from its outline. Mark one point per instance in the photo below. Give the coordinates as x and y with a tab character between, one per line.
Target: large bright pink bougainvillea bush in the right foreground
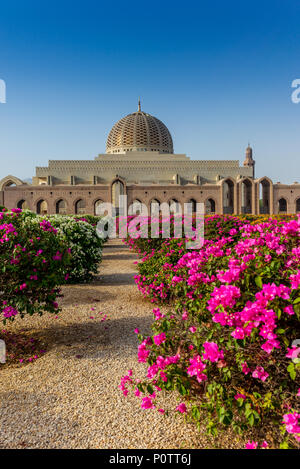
230	343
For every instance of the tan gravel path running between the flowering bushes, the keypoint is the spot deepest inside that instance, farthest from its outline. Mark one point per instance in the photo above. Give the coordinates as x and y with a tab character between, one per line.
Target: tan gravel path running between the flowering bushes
69	398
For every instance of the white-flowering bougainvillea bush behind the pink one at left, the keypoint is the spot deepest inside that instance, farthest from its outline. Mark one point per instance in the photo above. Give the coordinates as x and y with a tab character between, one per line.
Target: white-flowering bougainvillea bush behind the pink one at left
85	246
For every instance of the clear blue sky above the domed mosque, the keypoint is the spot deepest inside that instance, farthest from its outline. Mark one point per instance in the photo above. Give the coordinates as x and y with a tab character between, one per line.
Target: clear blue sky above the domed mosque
218	74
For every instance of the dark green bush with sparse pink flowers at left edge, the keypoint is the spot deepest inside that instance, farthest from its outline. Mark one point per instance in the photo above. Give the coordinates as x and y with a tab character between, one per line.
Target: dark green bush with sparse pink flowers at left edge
34	260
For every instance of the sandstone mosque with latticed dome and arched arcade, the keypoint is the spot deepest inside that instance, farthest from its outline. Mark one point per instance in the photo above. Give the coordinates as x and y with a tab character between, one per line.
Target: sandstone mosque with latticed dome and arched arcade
140	162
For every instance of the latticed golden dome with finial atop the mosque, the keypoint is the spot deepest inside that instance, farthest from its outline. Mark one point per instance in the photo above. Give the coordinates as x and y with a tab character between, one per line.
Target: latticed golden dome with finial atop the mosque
139	131
